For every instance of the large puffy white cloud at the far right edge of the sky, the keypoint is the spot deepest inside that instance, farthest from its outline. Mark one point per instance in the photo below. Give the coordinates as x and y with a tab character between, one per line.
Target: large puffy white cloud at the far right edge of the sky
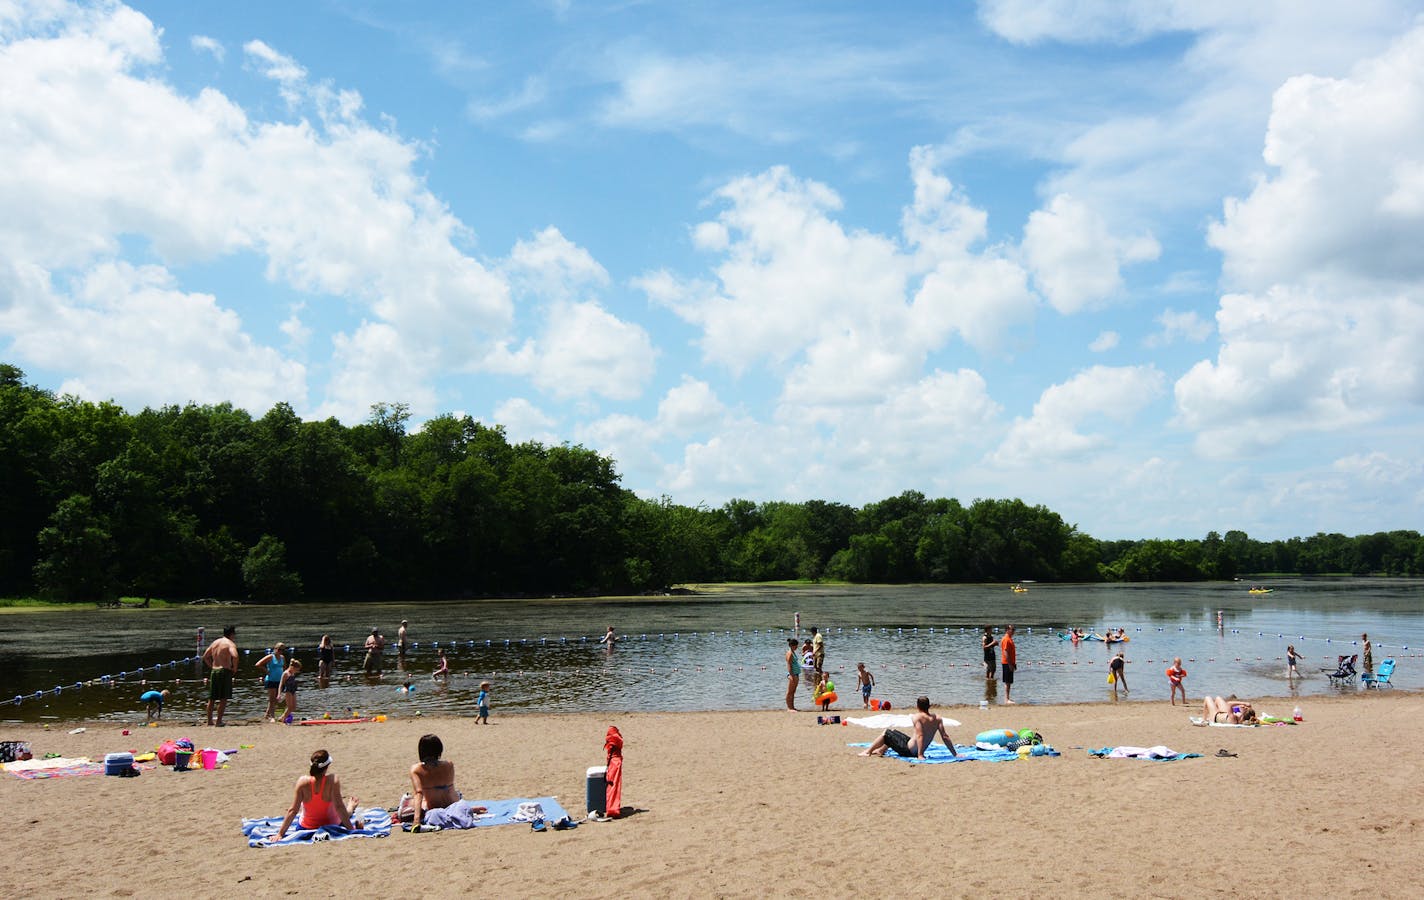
1326	317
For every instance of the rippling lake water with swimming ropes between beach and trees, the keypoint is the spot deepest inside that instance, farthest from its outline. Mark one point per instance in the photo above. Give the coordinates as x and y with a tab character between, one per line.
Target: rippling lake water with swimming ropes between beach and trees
721	652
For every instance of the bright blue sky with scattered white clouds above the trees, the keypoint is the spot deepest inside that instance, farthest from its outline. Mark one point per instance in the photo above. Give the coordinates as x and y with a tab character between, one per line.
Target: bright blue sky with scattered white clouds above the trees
1153	266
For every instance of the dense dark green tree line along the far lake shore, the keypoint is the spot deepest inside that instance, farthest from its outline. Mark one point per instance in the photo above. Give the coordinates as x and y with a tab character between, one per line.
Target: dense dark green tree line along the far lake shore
203	501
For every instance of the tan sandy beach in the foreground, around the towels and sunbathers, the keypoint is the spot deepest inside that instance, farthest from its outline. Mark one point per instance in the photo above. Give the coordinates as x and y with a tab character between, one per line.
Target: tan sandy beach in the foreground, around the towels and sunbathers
763	804
